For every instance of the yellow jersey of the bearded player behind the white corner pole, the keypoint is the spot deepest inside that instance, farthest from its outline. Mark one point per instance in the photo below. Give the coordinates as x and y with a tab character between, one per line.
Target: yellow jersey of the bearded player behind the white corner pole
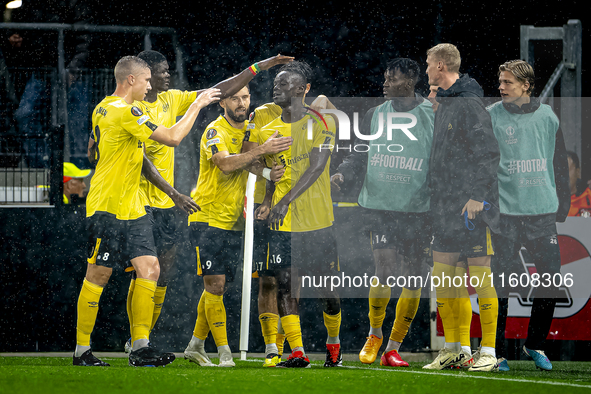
220	196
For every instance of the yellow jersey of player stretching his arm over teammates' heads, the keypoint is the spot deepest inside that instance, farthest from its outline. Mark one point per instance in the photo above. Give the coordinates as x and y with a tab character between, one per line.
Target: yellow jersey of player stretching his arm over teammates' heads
163	112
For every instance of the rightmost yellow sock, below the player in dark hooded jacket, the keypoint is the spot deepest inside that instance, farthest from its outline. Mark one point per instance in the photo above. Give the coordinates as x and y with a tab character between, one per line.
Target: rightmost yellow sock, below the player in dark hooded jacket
488	302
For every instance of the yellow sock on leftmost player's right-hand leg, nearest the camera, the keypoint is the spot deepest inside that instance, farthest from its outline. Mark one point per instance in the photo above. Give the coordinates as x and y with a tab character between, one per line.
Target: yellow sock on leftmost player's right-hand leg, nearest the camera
142	308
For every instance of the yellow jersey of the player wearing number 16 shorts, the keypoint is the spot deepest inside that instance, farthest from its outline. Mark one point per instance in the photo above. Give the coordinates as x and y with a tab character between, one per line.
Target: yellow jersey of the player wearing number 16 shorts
312	210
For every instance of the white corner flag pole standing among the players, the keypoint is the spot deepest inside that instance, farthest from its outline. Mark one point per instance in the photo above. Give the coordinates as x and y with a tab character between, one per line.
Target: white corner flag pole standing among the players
247	267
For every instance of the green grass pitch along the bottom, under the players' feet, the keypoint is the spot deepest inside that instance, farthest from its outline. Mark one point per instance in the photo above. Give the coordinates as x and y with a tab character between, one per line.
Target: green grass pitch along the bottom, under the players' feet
49	375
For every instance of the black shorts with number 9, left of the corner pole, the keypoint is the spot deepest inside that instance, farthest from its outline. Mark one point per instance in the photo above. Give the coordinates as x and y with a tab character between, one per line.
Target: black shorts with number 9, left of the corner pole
219	252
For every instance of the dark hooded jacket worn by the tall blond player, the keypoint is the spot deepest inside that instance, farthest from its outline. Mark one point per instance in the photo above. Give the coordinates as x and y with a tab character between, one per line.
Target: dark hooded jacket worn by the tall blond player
464	156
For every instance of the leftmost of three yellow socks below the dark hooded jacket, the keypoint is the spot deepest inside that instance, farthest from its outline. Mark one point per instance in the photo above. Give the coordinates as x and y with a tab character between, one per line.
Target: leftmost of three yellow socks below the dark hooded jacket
445	300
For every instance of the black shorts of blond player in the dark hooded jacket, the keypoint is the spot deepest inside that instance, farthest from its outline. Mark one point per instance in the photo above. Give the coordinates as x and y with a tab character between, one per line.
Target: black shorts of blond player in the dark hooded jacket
456	239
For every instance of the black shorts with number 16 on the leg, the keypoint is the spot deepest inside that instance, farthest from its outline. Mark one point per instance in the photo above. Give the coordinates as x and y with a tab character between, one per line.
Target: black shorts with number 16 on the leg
311	252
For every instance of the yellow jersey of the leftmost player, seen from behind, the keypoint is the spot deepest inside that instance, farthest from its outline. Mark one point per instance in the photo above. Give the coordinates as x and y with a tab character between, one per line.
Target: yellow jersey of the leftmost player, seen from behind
119	129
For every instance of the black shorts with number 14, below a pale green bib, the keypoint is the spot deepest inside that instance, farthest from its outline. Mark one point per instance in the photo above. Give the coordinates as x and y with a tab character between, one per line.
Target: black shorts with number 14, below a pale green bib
407	233
